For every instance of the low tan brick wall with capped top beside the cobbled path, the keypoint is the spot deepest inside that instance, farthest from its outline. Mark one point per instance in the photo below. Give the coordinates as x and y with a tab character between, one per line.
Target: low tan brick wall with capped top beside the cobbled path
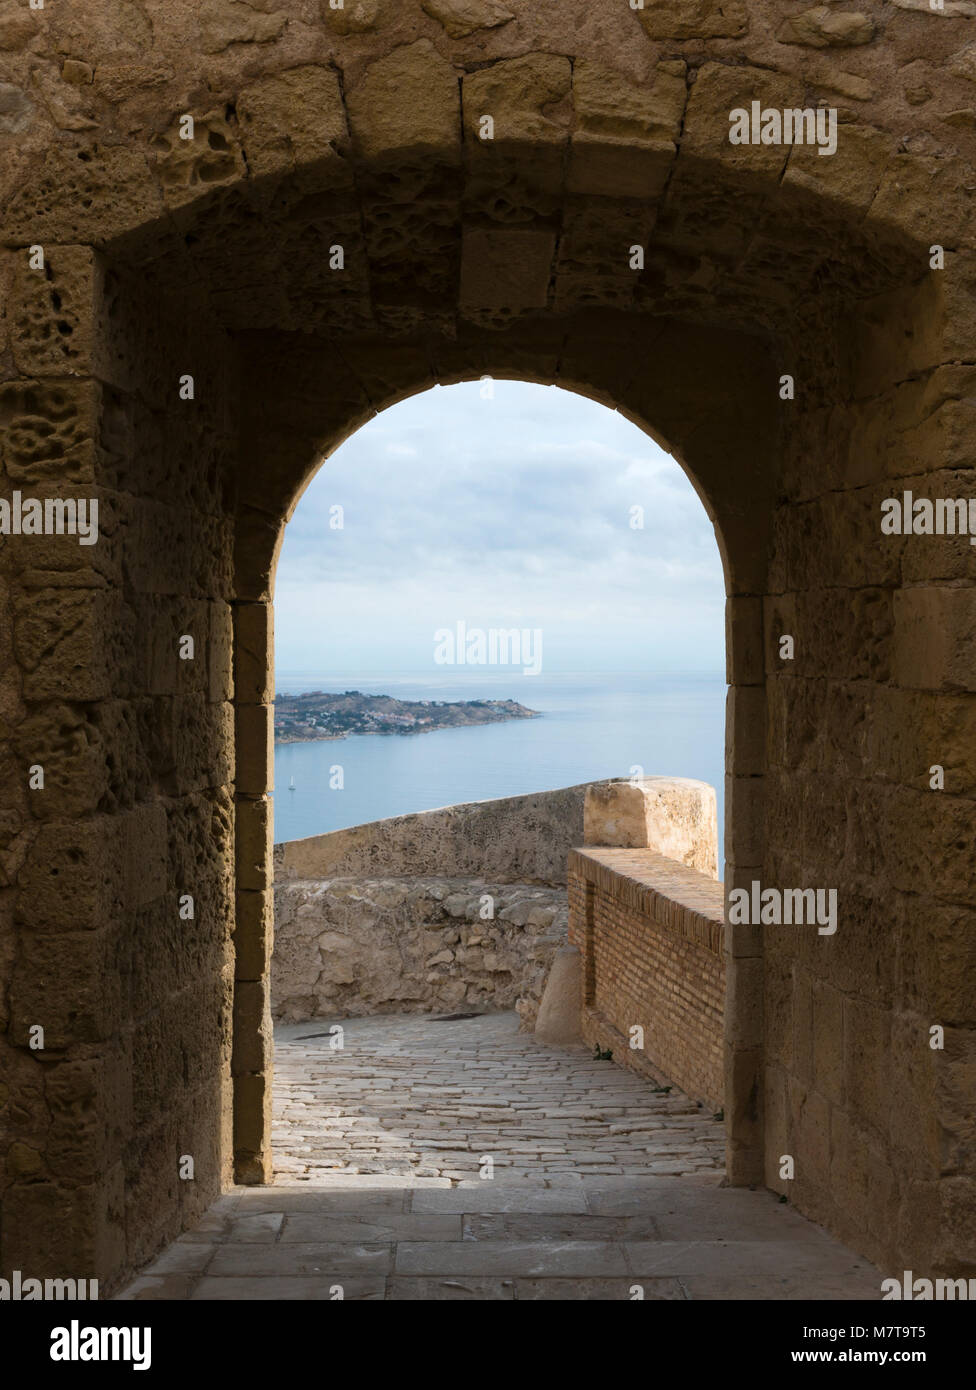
651	938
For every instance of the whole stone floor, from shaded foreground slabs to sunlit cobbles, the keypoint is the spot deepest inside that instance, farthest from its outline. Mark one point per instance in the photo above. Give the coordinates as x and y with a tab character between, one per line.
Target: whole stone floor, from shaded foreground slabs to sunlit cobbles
601	1189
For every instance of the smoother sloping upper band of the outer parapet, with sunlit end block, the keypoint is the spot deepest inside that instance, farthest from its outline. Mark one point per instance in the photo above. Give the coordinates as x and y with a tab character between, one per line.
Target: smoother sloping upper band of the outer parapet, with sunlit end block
517	839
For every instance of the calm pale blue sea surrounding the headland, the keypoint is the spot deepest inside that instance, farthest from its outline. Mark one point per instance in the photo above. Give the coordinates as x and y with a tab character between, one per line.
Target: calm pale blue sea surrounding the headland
592	728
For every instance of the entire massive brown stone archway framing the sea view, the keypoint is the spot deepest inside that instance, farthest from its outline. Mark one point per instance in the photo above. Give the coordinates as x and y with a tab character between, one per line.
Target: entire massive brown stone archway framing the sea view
188	354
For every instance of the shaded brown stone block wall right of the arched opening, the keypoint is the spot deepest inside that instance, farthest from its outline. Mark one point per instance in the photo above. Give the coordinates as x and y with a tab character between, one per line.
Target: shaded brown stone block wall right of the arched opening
879	693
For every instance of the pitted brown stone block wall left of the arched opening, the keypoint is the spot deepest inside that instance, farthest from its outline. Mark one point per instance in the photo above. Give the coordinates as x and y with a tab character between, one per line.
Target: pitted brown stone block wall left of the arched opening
137	807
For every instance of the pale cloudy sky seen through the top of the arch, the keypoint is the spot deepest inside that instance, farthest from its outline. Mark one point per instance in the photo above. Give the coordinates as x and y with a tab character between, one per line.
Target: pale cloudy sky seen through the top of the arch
507	512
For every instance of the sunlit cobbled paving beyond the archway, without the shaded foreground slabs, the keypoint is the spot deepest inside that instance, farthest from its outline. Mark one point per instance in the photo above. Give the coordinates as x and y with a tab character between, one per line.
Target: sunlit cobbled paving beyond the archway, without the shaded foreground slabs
411	1096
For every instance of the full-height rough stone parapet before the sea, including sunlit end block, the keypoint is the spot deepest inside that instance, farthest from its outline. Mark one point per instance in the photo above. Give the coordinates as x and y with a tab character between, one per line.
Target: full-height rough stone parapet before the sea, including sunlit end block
350	942
